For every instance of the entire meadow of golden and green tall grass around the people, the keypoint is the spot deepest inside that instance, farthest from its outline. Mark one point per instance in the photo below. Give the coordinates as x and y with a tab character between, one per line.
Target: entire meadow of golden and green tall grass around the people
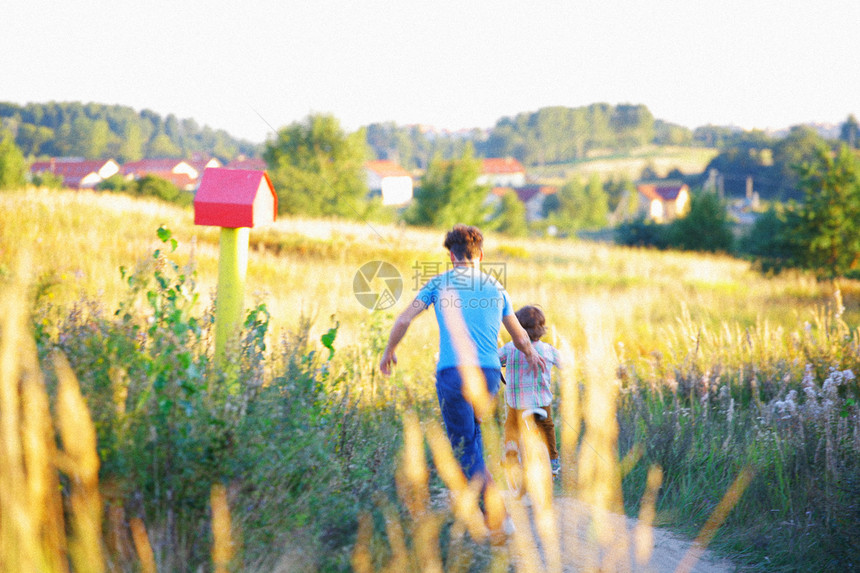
700	395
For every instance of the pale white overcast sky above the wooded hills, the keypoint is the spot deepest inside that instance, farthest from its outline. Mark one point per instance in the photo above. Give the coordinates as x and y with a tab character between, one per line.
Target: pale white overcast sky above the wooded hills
253	67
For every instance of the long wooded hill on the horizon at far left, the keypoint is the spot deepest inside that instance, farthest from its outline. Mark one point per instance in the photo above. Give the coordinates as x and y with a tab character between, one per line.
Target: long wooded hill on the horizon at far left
97	131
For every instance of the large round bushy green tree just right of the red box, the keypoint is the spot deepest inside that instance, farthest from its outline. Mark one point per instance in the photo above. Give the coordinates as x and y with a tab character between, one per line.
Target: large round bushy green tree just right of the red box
318	169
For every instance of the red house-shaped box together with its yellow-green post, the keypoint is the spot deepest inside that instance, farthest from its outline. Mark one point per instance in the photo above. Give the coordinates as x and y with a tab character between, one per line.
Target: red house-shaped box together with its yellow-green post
235	200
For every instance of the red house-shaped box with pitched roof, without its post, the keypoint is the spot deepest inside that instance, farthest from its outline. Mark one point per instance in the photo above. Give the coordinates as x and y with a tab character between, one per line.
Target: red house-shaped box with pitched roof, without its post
235	198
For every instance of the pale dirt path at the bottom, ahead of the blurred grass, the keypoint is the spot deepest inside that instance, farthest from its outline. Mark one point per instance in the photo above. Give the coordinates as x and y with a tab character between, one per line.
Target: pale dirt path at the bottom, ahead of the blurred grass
607	544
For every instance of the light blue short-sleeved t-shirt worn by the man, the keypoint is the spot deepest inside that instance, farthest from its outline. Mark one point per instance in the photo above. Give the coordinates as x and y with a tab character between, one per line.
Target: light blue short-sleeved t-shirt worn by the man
481	300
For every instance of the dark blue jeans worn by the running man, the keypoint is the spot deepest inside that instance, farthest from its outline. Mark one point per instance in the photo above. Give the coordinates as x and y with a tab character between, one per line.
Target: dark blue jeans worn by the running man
464	431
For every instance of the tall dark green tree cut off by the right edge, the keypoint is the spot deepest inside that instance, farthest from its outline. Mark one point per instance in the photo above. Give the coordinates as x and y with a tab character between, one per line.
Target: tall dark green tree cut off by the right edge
826	226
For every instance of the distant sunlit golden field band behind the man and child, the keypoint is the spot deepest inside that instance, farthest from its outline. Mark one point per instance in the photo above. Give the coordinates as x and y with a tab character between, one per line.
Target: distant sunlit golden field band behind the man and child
299	266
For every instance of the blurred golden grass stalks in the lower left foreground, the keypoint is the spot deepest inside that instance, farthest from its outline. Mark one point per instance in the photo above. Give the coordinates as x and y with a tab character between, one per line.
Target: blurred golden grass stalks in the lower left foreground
46	526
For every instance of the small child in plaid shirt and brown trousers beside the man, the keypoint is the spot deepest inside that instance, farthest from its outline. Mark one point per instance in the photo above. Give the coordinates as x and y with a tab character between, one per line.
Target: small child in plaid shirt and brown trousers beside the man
526	390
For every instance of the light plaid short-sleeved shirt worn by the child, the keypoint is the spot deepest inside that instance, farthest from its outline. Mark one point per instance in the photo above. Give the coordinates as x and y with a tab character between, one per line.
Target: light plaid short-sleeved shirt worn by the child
526	390
